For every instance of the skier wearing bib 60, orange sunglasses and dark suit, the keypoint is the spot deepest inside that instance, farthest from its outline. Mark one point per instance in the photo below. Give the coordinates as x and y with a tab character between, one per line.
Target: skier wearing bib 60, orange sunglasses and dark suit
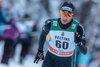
65	33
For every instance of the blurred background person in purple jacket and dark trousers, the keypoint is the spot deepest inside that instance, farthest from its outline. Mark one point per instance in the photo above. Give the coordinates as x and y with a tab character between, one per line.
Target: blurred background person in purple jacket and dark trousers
9	35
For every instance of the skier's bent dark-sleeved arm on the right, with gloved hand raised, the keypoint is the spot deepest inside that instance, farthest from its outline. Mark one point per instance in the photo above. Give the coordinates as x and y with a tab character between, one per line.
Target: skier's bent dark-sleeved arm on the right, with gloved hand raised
80	40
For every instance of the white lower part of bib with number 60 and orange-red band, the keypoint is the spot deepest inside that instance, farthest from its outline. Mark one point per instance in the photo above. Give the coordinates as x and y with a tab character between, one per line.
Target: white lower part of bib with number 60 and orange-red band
61	43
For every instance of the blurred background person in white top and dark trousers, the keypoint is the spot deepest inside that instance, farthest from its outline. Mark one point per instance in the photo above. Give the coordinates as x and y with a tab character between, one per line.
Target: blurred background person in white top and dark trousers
26	29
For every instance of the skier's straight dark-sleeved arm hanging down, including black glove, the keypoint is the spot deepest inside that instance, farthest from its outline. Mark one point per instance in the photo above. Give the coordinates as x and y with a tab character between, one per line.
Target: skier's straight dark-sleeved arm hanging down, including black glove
45	31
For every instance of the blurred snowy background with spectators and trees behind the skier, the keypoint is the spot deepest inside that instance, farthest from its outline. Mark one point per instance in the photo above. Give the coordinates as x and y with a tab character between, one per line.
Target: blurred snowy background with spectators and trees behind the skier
21	22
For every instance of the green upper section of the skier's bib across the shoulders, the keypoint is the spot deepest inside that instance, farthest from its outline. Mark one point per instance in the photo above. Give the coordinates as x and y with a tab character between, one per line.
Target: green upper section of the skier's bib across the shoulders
71	28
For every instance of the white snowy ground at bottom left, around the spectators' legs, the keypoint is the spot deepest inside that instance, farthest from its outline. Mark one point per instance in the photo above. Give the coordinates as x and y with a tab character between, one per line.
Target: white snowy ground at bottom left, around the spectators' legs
28	62
